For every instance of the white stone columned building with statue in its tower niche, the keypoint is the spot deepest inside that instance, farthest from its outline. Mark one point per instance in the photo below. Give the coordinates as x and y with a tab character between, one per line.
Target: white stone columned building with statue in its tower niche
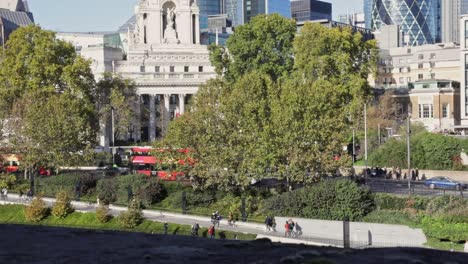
161	52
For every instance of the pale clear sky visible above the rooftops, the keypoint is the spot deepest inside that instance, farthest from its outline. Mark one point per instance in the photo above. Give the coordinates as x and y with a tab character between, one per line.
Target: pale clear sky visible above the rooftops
109	15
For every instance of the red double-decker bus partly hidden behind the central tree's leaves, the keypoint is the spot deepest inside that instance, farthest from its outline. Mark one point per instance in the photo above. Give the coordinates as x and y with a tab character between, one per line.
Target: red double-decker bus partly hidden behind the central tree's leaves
163	166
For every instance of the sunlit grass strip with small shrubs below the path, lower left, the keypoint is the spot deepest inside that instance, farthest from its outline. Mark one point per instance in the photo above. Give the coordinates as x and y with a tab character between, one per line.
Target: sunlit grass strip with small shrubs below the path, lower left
14	214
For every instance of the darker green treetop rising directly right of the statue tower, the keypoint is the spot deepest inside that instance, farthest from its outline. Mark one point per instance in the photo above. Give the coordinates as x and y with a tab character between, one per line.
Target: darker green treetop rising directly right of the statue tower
265	44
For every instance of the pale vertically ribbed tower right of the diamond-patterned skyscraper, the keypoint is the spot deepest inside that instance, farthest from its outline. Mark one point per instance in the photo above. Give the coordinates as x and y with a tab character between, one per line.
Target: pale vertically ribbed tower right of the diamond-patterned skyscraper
451	10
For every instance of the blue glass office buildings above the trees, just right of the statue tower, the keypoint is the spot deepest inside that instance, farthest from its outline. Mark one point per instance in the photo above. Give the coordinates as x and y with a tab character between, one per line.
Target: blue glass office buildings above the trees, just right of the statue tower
242	11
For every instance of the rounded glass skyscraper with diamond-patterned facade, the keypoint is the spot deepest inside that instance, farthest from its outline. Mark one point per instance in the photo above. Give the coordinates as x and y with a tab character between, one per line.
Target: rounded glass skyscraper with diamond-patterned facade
419	19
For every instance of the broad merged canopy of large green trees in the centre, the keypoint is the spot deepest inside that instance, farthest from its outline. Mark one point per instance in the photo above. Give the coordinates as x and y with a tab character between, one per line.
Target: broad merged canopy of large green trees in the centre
269	115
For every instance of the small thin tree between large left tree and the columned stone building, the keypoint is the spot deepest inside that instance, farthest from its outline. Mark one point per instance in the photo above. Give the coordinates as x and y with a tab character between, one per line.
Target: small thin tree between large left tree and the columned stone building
115	92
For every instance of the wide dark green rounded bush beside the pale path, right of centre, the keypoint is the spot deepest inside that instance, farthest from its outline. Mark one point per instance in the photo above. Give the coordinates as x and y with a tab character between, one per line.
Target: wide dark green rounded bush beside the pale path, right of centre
330	200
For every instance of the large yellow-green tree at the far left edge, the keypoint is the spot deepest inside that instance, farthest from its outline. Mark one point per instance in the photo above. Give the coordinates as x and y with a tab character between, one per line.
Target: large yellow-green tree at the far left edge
47	95
